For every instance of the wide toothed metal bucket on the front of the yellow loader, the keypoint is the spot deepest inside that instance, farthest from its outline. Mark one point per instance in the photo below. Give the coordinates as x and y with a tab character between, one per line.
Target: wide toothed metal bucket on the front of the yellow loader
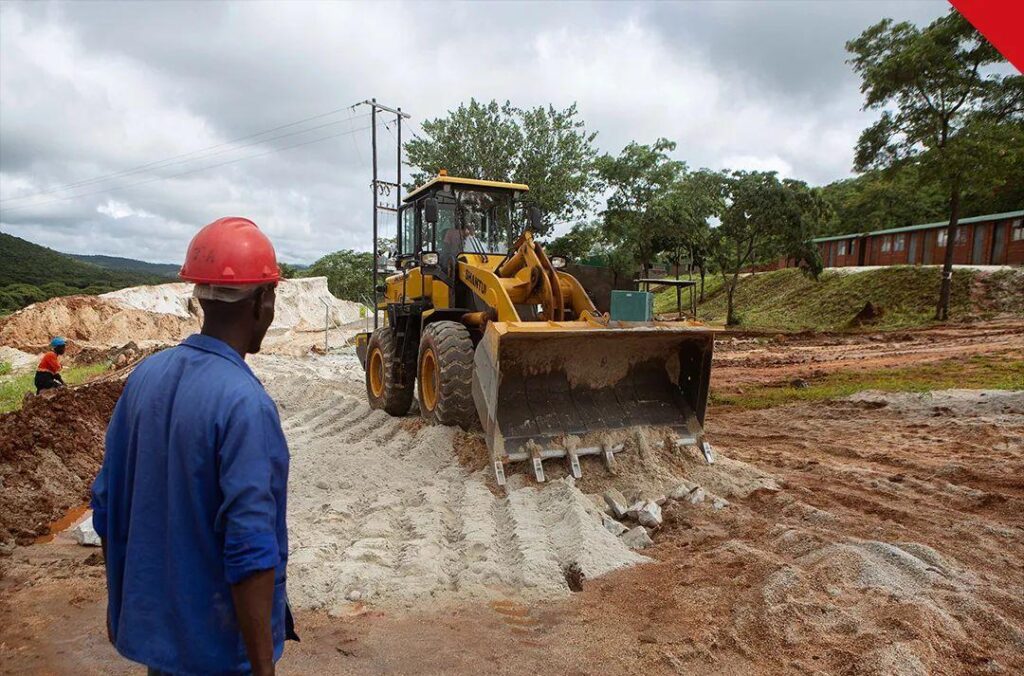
558	390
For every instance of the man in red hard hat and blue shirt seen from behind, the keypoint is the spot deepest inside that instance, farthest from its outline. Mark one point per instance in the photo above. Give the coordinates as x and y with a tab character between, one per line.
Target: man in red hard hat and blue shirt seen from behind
191	500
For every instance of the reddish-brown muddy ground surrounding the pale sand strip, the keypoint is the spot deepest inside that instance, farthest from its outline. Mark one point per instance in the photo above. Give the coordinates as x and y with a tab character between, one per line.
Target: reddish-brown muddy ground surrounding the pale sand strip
894	544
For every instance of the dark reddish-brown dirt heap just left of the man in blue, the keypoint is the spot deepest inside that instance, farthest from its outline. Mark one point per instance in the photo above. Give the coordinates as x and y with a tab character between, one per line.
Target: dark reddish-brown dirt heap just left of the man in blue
51	451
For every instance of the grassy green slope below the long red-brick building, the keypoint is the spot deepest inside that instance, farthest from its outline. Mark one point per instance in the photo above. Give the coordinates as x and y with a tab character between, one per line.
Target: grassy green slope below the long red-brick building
788	301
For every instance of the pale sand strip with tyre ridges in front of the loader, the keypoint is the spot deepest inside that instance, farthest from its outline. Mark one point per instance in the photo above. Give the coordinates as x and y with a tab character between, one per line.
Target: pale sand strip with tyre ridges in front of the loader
381	511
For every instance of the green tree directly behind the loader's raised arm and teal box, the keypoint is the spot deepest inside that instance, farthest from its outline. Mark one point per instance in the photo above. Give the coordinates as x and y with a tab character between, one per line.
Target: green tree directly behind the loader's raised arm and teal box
639	179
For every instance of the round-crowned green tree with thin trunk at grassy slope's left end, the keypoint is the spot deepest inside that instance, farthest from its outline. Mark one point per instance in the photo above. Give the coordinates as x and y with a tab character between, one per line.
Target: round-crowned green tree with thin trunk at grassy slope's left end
766	219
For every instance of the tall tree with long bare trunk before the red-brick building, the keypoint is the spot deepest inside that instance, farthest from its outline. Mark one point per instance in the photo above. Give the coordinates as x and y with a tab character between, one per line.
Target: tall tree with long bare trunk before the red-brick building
943	108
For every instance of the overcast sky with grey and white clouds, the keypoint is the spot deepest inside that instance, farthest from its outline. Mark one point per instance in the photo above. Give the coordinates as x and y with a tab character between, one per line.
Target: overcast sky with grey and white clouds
119	122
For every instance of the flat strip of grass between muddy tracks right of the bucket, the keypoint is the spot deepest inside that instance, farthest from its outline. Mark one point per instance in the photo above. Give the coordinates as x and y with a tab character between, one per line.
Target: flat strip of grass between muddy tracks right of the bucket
975	373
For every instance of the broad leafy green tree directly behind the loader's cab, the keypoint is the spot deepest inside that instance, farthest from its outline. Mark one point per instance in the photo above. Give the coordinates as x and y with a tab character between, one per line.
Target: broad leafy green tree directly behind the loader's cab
549	150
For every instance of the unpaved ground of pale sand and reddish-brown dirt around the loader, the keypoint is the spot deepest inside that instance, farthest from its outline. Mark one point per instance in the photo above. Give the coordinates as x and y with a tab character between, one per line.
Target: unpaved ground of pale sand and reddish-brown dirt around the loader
892	544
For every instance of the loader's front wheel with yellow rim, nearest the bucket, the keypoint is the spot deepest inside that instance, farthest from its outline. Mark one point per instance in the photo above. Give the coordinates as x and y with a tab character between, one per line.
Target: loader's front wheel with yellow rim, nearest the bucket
446	374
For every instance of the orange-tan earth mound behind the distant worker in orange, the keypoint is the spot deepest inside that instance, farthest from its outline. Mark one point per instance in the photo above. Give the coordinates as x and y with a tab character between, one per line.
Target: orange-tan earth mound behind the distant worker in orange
90	320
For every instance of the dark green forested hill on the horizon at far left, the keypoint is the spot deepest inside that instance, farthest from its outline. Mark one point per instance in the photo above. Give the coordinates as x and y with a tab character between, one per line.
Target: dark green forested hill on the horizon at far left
30	274
